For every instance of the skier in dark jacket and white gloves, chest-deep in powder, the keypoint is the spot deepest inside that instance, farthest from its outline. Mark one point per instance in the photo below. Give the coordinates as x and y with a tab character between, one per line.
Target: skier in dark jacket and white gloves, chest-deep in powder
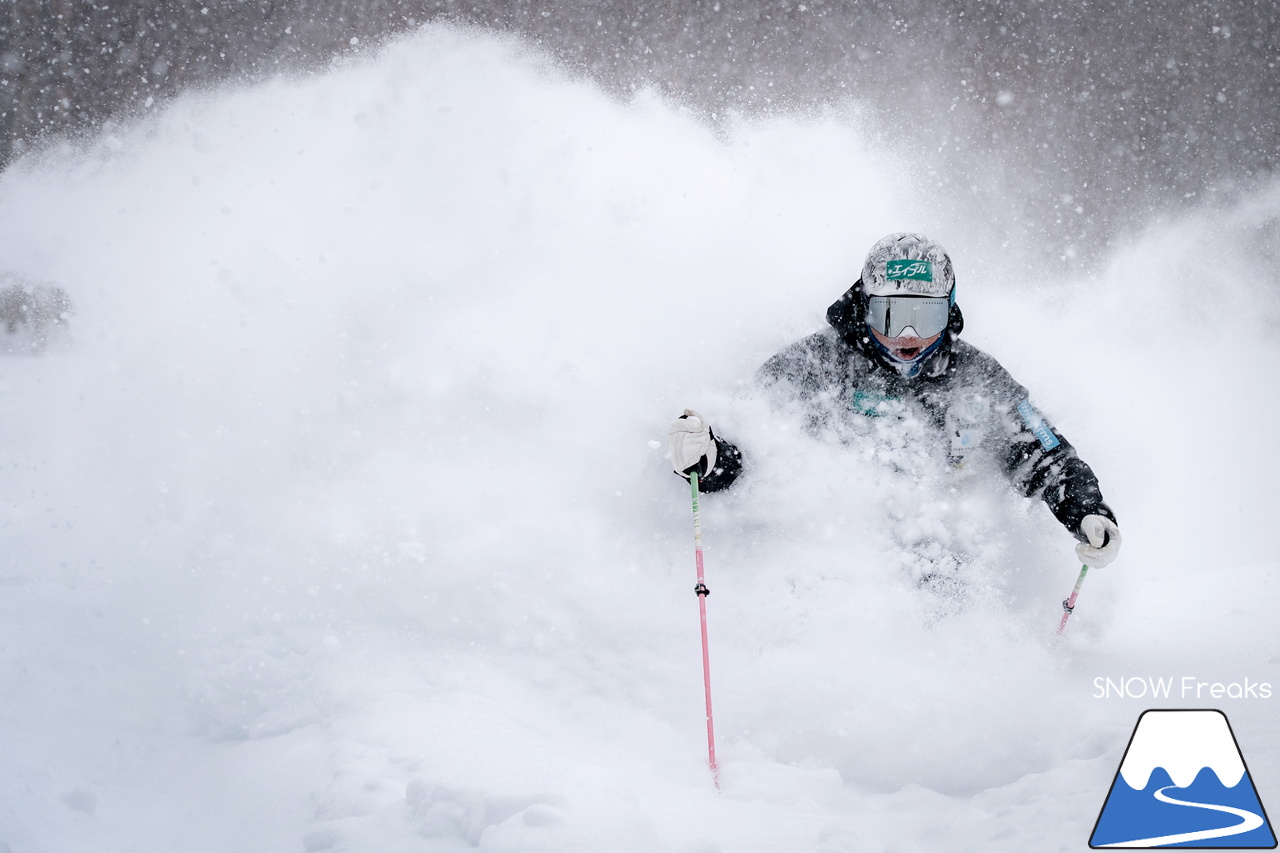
893	343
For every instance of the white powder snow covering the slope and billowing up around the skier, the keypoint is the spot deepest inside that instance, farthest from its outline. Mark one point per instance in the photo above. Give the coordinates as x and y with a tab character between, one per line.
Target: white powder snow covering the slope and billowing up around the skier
342	522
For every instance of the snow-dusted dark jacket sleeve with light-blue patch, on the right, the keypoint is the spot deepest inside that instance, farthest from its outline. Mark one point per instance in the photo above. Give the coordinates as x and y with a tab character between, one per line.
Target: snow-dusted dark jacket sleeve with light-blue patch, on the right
1043	463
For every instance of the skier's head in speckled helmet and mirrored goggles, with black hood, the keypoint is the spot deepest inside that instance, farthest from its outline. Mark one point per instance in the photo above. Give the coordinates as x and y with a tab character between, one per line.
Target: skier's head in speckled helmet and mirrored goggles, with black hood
903	311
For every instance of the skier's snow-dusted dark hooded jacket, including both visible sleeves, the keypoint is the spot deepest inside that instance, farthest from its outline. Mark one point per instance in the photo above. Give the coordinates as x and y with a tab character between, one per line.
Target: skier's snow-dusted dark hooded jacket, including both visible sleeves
966	398
